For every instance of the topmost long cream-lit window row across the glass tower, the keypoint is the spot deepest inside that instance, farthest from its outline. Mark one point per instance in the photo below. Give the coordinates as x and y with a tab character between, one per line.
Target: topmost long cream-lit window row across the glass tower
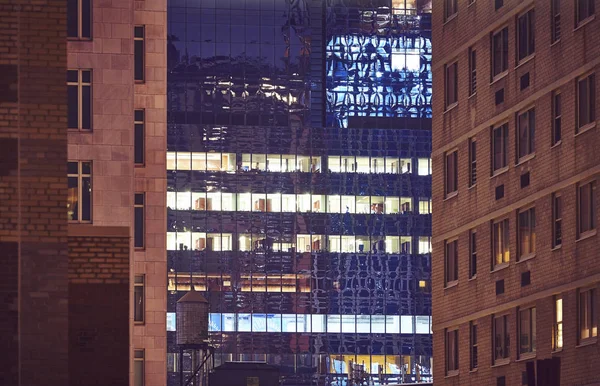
230	162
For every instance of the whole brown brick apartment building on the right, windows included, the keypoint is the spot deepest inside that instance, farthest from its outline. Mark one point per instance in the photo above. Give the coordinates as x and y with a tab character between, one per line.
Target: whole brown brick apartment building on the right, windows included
515	170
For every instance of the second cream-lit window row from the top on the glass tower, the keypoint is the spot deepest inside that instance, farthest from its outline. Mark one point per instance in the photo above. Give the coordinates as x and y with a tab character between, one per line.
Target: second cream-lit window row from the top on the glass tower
277	202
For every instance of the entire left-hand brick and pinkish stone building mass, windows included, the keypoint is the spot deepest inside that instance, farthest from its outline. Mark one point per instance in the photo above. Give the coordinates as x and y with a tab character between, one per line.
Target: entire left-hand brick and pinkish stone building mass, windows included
82	101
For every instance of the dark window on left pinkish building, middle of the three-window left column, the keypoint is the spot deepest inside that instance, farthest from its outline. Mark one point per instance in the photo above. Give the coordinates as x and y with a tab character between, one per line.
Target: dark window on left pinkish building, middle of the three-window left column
79	99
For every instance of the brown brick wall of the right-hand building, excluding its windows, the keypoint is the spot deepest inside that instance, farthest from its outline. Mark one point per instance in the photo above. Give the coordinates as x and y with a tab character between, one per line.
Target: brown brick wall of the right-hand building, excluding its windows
552	169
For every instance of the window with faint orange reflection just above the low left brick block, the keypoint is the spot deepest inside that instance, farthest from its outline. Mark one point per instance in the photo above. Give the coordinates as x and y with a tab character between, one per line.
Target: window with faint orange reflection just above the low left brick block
79	199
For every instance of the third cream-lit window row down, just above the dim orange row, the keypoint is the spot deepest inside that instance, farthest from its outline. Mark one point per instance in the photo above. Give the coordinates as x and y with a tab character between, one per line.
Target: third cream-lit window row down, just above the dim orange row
245	242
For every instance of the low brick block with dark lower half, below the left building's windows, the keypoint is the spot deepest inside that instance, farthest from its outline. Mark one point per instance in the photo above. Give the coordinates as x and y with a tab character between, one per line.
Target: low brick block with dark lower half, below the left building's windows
98	310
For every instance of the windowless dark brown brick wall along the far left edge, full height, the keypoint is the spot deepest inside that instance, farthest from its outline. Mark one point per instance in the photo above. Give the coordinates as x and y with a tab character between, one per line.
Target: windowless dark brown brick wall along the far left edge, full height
33	225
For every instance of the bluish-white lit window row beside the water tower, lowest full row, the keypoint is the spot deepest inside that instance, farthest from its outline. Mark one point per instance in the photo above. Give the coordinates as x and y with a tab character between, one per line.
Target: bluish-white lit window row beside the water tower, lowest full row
314	323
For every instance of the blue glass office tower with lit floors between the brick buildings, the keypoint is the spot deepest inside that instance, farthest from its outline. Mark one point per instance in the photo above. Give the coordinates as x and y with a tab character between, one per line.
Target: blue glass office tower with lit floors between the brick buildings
299	187
